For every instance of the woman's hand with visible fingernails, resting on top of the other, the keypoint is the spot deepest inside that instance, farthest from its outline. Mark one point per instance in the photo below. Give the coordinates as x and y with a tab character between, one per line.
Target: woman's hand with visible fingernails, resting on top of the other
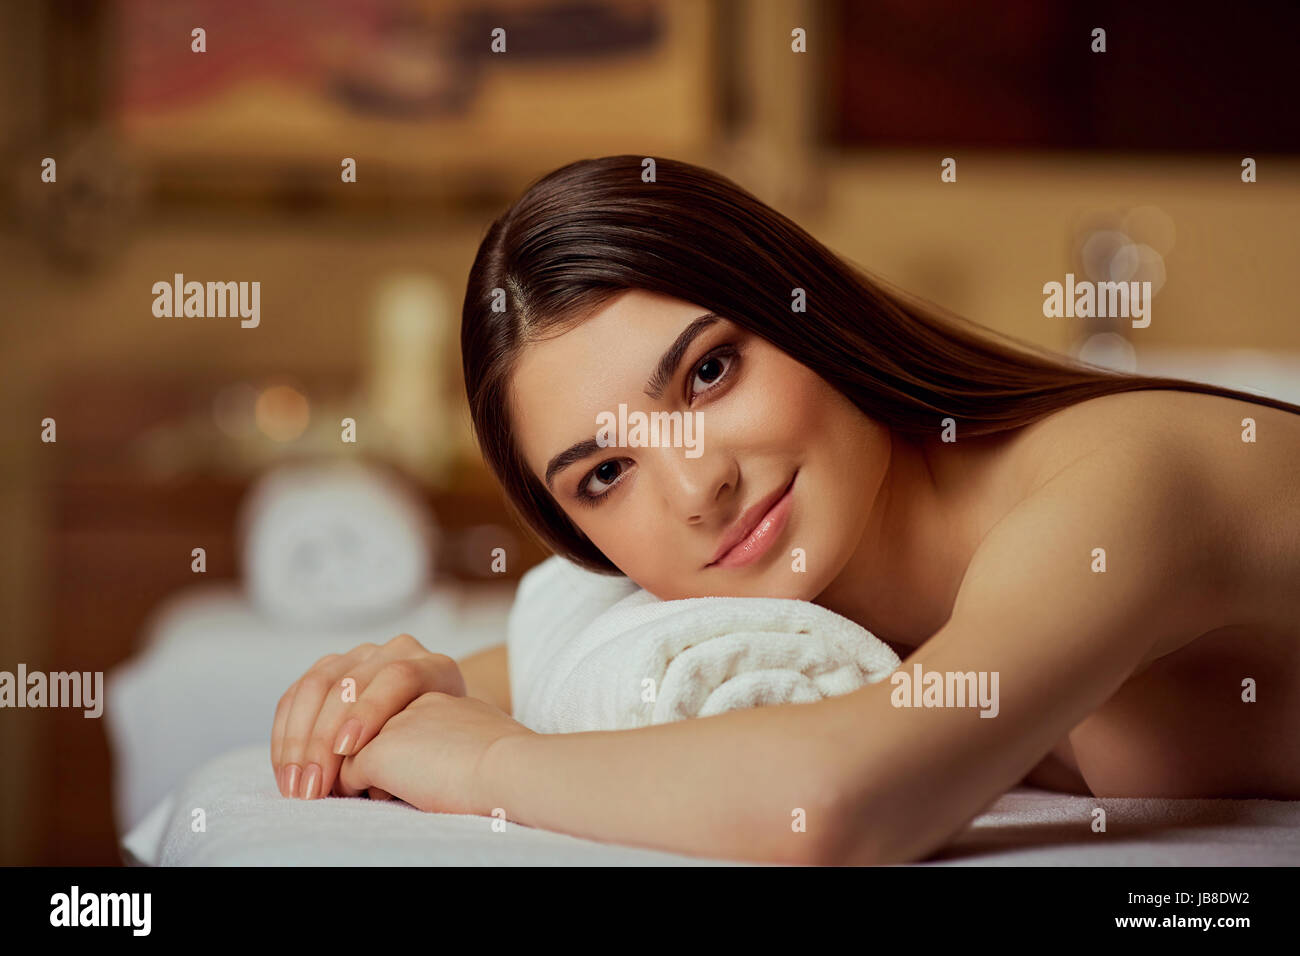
323	717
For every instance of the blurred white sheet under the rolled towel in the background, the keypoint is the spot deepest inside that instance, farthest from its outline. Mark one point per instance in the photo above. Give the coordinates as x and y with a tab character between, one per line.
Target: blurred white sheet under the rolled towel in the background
213	669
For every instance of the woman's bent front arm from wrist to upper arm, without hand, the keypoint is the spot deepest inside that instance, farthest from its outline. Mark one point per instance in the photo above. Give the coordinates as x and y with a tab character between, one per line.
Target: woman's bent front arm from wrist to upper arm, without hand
881	784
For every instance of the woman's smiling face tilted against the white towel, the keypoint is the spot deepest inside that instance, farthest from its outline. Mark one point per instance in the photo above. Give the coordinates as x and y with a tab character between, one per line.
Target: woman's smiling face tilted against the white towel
752	425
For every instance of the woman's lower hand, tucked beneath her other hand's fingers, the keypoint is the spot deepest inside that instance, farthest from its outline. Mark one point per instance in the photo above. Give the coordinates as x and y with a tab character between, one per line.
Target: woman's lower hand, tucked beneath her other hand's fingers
432	755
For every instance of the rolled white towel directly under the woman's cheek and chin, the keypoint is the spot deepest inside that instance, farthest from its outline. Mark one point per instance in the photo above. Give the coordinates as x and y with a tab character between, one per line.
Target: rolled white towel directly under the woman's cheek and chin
647	661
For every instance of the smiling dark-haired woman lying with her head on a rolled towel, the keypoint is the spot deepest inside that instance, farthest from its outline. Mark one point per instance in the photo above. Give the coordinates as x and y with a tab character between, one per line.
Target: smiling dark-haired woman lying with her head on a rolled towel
1116	555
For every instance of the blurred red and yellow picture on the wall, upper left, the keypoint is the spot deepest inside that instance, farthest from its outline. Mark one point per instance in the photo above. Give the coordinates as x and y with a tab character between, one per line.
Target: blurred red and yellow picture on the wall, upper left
255	96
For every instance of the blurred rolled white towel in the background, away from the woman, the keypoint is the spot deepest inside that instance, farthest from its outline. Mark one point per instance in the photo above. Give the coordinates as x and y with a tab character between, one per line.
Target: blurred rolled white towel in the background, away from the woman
335	544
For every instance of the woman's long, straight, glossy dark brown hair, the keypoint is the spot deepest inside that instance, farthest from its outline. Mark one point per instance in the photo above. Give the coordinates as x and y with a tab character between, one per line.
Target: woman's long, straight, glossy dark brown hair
592	230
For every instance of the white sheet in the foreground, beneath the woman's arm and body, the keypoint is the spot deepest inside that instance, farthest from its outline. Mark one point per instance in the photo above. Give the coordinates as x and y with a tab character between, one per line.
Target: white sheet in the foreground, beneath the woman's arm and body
249	824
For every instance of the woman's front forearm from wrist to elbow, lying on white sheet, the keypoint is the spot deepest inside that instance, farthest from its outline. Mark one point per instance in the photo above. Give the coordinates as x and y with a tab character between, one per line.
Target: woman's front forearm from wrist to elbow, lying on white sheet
748	785
